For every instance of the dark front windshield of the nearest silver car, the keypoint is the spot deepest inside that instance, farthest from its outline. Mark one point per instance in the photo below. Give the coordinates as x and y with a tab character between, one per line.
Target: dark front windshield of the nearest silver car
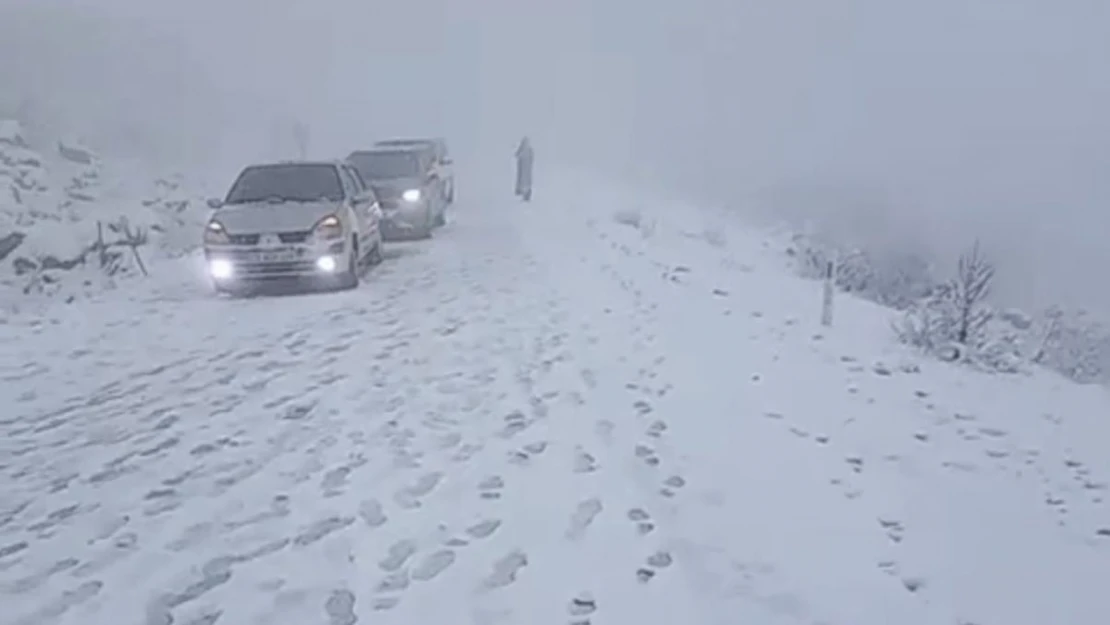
296	183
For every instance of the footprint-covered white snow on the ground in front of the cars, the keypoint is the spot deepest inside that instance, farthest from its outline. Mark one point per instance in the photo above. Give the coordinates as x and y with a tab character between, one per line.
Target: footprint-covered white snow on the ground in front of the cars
581	410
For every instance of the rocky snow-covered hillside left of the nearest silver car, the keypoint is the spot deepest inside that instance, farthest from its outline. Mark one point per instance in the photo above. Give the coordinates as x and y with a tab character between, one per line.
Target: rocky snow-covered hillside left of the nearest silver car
69	220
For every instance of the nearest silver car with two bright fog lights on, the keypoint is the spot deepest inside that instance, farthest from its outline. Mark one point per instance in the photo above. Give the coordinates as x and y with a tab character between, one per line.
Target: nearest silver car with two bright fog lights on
305	220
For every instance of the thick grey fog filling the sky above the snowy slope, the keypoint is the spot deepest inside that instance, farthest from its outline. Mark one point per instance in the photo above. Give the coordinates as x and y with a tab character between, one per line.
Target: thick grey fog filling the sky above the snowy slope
899	123
